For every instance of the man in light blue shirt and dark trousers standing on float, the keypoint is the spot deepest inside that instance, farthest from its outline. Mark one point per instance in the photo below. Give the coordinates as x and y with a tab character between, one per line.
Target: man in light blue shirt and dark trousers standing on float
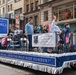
29	30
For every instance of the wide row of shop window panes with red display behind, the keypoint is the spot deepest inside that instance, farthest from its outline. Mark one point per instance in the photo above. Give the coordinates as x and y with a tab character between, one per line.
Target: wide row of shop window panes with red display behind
61	12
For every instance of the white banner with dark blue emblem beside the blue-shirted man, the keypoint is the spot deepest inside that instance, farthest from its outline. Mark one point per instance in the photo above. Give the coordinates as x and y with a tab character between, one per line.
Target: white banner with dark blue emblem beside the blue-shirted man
44	40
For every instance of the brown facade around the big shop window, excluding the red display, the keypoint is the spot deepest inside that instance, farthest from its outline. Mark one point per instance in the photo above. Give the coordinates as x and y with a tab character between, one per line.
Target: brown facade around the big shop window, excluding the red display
62	7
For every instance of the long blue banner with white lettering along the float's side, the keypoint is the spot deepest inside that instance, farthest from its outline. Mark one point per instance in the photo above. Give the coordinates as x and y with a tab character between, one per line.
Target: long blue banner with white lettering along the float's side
34	59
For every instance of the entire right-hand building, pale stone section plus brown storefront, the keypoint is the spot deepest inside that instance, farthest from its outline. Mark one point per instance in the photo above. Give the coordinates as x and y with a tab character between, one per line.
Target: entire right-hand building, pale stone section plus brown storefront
58	7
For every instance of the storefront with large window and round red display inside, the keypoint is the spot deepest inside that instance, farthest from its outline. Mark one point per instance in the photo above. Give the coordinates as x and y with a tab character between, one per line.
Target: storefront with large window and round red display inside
66	13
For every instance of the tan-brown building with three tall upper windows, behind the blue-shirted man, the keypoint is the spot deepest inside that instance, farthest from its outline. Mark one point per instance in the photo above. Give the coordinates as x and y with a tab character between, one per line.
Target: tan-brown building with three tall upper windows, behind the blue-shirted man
32	10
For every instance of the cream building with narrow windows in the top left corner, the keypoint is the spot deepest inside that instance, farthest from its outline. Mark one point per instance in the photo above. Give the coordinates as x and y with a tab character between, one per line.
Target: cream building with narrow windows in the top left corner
6	7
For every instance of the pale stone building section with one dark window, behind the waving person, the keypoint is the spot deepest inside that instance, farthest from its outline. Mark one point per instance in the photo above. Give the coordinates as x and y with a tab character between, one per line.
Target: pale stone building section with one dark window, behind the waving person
45	12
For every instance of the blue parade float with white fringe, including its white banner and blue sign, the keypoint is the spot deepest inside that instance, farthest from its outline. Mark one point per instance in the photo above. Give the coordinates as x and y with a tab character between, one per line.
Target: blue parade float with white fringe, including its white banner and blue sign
53	63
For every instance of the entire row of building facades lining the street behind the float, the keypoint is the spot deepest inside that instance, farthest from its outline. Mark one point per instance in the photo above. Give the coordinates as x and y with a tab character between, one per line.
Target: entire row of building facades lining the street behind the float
40	10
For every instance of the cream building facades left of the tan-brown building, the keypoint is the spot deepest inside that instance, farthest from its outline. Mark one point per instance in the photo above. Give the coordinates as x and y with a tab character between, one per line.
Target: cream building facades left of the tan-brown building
10	9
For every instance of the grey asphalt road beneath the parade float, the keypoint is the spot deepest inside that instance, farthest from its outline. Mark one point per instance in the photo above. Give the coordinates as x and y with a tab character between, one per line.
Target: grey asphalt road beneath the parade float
6	69
